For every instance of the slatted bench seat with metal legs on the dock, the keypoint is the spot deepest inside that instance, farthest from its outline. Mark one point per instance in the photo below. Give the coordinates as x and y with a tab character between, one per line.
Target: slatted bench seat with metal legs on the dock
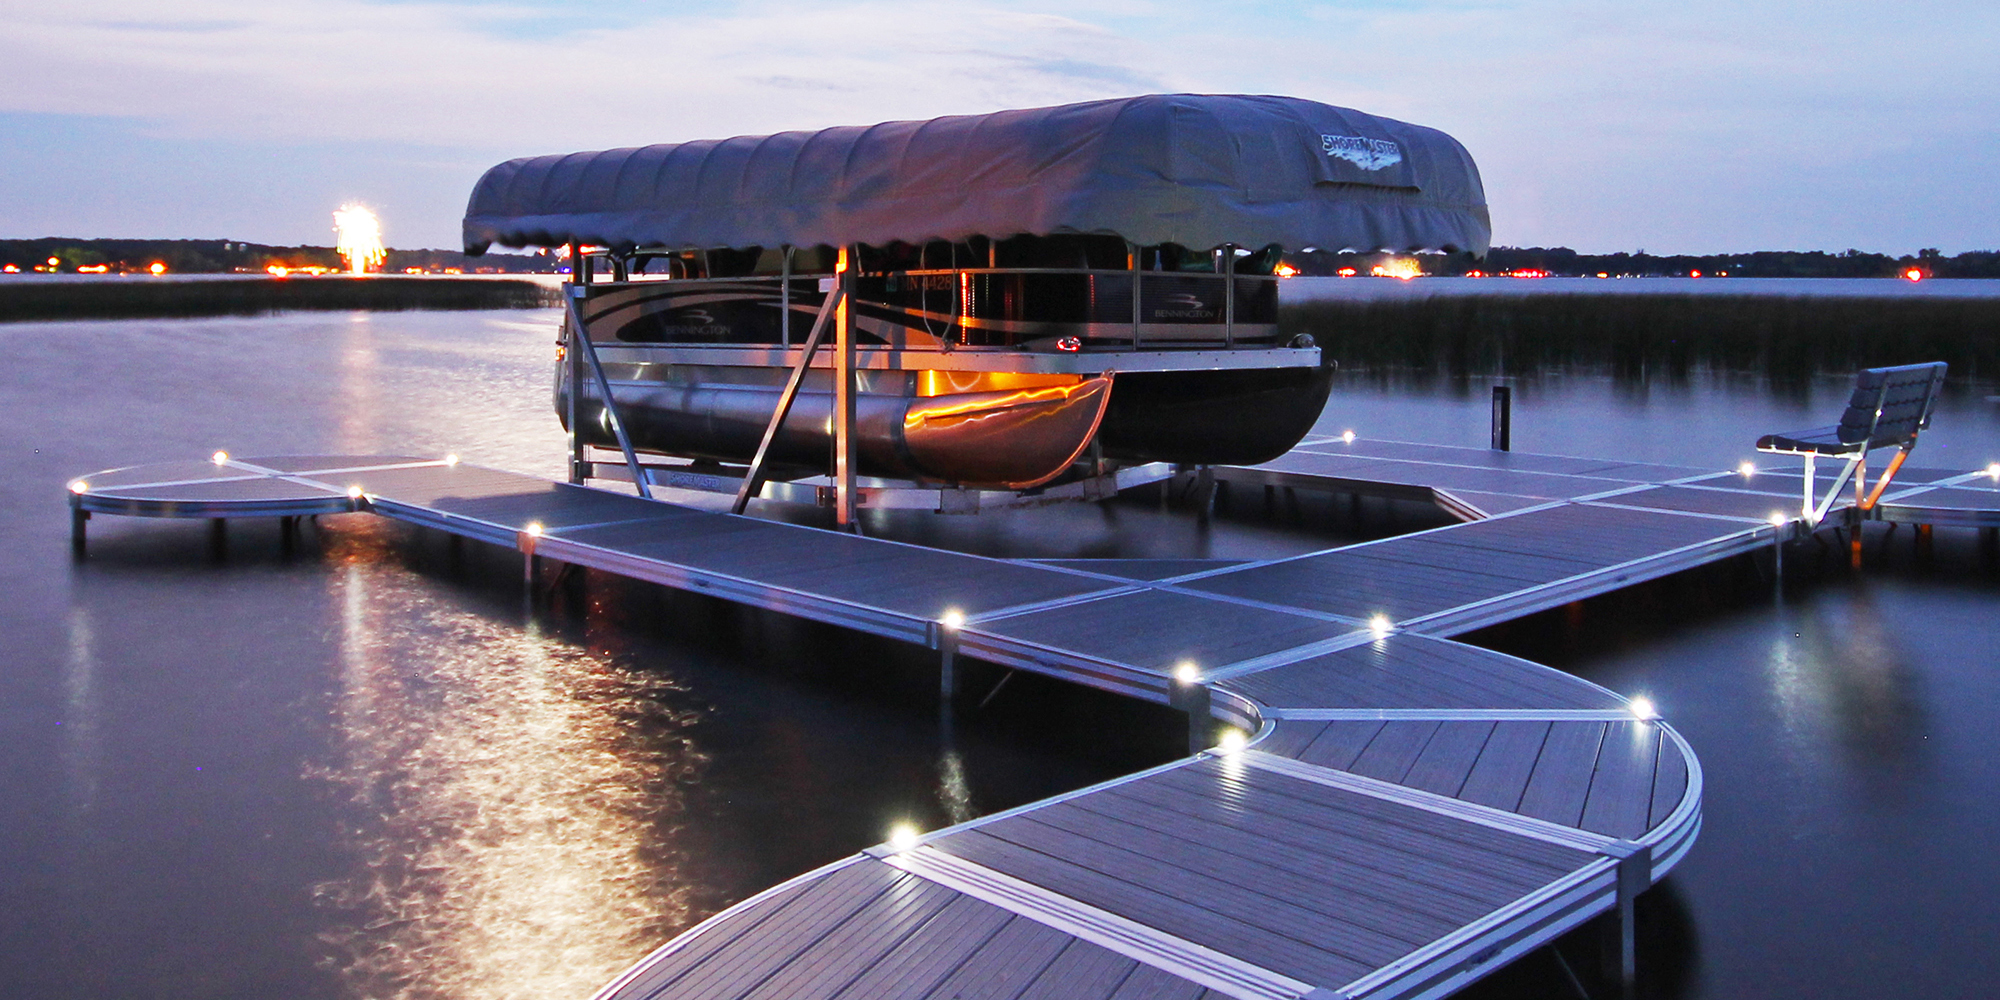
1889	409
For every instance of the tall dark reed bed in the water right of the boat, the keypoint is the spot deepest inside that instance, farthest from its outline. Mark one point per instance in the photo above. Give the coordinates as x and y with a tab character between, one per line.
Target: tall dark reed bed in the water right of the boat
1785	339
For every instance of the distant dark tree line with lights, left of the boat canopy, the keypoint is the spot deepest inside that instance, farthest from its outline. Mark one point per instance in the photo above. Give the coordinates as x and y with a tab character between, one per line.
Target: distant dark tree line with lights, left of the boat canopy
227	257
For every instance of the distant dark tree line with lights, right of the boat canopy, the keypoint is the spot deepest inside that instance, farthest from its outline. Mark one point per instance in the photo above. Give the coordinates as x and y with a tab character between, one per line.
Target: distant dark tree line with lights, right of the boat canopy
1561	261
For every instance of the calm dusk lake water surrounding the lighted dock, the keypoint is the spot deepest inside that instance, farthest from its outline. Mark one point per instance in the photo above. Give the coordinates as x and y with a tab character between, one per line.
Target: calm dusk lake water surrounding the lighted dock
369	773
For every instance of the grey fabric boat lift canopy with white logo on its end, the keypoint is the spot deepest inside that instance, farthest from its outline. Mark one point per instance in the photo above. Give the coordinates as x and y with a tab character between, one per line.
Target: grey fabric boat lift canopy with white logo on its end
1171	169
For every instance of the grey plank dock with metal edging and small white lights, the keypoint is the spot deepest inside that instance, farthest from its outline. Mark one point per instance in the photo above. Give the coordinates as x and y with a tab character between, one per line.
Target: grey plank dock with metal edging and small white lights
1395	815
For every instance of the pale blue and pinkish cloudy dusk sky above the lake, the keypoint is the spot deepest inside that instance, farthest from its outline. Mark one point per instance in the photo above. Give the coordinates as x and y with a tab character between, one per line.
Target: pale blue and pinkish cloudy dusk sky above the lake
1687	127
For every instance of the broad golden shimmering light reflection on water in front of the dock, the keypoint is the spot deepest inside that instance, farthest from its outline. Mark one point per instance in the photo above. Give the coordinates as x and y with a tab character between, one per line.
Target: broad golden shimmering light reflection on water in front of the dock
513	801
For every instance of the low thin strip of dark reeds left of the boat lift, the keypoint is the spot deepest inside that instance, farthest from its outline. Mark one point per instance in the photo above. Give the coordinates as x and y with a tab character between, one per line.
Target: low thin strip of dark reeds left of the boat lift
249	297
